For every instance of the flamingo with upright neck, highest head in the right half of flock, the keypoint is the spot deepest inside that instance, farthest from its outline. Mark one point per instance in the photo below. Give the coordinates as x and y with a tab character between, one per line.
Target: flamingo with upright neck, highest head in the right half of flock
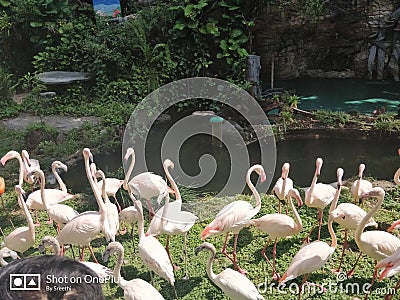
318	195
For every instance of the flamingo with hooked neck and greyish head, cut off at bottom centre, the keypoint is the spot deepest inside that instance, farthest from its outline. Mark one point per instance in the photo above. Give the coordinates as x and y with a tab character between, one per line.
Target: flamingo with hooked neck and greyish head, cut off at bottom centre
234	284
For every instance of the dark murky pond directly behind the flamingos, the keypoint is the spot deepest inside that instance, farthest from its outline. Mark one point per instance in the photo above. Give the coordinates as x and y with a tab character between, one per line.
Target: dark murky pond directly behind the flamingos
380	158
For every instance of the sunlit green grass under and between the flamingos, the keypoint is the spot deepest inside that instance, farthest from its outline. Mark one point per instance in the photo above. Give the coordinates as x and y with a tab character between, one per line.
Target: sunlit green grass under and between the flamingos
249	256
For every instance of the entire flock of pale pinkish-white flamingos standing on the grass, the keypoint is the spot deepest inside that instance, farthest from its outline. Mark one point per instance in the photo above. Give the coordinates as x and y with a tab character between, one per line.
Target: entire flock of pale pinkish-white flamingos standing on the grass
80	229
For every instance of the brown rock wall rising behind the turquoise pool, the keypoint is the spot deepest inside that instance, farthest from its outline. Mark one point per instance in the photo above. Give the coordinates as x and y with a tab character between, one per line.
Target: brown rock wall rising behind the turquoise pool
336	45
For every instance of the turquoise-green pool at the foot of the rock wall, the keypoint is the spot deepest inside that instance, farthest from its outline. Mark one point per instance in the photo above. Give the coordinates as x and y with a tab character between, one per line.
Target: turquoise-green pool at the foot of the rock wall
344	94
